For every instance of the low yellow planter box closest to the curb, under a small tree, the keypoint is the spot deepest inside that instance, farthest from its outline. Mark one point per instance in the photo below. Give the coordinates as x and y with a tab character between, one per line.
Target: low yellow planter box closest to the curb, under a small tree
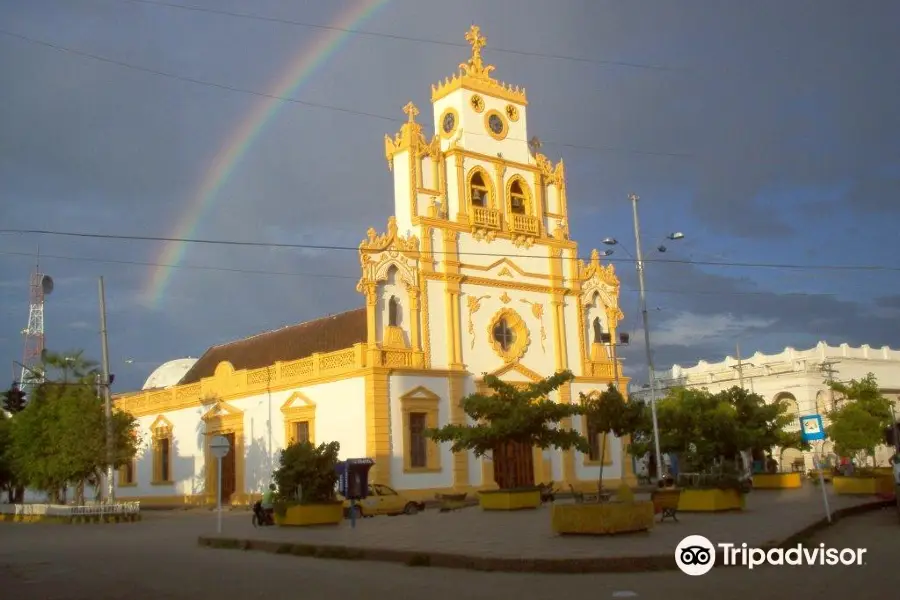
602	519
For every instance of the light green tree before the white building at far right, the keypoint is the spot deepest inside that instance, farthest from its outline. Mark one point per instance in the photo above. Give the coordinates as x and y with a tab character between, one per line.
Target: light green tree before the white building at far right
858	423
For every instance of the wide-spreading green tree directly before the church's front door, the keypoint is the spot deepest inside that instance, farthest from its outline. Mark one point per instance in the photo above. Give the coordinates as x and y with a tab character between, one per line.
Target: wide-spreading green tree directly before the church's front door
510	422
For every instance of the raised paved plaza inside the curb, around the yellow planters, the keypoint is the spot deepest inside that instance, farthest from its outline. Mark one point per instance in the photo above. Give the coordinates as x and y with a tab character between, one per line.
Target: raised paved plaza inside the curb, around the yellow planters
770	517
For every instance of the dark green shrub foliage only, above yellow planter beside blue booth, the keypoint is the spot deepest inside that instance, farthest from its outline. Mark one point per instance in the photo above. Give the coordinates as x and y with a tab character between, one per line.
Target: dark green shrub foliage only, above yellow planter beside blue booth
311	470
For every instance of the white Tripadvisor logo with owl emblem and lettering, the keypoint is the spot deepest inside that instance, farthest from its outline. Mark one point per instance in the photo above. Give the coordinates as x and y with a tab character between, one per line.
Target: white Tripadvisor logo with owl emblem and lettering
696	555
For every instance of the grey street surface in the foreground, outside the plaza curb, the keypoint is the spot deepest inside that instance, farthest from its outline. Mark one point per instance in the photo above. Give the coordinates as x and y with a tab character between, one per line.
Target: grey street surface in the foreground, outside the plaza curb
159	559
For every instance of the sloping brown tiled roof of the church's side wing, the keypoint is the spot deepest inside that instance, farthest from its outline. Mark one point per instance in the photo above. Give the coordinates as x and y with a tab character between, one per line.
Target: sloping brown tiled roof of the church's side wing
326	334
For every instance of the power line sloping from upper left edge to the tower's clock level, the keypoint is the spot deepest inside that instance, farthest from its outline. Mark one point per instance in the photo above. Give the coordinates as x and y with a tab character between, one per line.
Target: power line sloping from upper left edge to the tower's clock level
331	107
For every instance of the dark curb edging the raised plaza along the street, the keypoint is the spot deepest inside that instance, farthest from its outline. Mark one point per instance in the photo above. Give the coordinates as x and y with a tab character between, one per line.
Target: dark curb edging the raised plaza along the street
613	564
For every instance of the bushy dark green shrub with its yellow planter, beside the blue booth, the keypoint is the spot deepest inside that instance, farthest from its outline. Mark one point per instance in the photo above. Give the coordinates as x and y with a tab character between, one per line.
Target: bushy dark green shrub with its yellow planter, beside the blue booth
306	479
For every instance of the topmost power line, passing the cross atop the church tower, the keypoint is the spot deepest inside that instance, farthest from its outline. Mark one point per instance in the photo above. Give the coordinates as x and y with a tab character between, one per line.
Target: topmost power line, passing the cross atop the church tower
405	38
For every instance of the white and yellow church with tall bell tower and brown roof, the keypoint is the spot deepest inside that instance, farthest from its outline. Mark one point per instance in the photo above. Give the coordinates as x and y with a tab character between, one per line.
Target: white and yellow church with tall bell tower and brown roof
475	273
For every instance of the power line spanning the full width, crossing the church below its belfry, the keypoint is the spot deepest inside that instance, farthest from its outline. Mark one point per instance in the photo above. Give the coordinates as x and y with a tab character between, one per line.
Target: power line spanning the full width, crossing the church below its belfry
111	236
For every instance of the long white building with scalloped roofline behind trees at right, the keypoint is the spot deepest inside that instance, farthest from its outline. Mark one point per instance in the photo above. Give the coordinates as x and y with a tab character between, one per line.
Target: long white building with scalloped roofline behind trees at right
798	376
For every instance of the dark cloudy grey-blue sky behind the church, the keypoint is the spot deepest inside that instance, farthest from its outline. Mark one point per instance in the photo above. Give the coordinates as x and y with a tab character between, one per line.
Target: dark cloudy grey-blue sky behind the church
768	133
